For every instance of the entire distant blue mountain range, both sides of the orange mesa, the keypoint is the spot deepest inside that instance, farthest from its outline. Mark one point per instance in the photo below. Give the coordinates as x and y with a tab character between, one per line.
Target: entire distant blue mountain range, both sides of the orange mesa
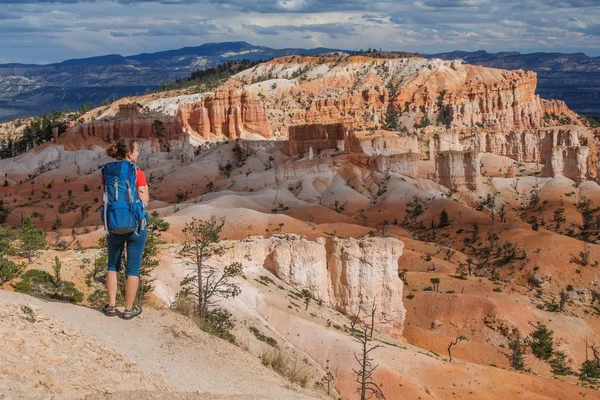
27	89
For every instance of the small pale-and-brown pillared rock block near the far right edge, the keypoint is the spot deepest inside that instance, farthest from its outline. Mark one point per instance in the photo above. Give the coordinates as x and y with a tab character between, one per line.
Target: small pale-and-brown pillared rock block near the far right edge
570	162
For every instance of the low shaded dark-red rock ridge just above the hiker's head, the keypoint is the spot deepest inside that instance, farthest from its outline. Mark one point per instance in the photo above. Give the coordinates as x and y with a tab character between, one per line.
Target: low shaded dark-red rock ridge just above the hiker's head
140	127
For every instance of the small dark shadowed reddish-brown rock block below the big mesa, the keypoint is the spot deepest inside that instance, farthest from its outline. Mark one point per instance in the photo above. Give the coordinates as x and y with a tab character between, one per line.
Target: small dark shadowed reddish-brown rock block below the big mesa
317	137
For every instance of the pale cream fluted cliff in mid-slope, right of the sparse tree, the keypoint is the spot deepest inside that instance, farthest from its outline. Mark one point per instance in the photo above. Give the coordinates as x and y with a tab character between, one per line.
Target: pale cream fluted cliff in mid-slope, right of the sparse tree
348	274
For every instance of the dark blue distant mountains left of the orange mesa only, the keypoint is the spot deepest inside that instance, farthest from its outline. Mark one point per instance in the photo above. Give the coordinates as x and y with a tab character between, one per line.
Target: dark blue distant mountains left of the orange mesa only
27	89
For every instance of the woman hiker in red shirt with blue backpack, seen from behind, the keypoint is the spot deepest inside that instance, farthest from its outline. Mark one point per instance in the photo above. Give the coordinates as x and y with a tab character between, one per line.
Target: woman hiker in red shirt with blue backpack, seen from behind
125	221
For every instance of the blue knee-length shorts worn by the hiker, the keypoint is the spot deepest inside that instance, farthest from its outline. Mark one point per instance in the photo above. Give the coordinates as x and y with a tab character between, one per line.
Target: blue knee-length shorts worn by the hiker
135	250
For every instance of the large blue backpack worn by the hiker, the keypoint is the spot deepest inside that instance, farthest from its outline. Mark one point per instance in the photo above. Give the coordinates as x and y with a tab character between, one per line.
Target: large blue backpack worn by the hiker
123	212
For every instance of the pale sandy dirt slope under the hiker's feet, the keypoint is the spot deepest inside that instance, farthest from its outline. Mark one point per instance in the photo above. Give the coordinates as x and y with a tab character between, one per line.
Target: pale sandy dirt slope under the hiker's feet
158	351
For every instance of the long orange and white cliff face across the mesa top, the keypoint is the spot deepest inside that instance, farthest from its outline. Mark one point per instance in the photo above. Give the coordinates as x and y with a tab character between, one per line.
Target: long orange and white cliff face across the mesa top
362	92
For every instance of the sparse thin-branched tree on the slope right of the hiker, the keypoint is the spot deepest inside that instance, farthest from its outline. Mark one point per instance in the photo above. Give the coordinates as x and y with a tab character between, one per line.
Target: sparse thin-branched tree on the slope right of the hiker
204	282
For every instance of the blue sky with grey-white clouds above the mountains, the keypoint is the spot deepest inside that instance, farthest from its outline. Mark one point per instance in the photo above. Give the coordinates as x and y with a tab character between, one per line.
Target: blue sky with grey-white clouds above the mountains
43	31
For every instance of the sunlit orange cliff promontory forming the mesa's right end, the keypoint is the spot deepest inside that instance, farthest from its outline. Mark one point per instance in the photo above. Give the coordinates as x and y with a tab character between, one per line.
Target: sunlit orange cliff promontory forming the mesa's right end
460	95
